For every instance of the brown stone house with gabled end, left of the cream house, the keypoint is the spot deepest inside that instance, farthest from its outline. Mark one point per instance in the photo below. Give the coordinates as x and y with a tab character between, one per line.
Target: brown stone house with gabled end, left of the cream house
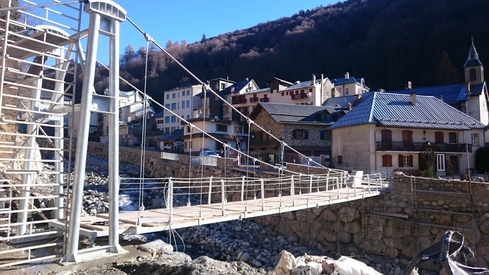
284	132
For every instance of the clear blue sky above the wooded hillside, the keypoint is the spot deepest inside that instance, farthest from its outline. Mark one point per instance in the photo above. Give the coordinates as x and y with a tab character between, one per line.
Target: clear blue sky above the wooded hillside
188	20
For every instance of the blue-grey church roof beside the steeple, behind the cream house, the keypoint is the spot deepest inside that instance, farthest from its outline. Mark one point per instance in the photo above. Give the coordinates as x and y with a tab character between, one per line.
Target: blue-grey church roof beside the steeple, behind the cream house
451	94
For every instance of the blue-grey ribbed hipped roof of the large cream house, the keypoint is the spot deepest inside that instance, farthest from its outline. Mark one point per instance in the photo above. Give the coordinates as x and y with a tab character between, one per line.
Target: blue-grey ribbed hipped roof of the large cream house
396	110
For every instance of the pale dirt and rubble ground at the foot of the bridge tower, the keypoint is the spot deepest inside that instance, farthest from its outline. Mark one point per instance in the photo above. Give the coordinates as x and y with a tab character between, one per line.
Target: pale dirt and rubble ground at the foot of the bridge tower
135	261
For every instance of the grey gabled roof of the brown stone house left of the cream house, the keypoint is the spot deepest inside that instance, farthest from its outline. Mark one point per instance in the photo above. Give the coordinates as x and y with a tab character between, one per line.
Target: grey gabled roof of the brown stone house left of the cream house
291	113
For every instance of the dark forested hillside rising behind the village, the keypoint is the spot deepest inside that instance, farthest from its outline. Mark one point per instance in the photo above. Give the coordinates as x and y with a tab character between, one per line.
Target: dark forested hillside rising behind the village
386	42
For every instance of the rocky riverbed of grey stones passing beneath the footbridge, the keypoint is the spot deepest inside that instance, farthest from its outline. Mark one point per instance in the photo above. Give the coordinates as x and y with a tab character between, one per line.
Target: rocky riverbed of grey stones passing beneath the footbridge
236	247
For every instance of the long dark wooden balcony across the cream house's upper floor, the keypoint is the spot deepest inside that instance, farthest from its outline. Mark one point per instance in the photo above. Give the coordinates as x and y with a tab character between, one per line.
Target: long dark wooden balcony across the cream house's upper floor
422	146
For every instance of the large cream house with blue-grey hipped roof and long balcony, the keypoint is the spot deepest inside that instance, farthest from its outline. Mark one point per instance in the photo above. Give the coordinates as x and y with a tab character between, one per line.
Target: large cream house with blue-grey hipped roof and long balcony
387	131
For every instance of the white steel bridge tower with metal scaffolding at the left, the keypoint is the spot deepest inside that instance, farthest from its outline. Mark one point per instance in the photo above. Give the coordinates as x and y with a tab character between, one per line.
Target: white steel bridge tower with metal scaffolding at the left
42	57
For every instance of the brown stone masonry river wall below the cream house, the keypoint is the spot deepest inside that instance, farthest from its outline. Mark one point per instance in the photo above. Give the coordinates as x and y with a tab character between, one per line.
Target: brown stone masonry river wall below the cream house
412	216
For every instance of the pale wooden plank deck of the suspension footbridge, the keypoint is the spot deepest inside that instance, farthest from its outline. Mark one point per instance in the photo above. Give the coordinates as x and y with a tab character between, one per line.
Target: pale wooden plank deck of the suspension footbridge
153	220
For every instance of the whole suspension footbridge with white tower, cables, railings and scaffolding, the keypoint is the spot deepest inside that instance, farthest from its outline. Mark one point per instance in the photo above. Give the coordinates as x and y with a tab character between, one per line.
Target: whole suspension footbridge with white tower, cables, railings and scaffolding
44	47
